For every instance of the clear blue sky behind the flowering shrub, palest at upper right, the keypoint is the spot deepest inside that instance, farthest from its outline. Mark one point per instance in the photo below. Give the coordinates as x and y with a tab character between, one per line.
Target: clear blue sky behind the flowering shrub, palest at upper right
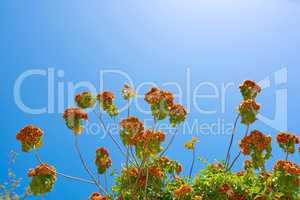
151	41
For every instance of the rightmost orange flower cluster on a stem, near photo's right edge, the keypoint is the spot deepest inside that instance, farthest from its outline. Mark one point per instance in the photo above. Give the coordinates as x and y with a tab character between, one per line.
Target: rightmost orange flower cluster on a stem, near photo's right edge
287	142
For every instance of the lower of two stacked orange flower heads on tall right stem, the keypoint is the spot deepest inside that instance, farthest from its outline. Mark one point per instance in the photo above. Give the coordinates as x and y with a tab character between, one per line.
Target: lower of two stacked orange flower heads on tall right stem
248	110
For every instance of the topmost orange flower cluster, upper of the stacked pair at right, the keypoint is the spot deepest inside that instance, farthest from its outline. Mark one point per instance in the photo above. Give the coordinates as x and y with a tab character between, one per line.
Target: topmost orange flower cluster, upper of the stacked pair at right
249	89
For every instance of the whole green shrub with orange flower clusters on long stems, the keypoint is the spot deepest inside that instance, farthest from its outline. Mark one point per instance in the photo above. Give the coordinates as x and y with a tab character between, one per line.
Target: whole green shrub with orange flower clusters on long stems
148	174
